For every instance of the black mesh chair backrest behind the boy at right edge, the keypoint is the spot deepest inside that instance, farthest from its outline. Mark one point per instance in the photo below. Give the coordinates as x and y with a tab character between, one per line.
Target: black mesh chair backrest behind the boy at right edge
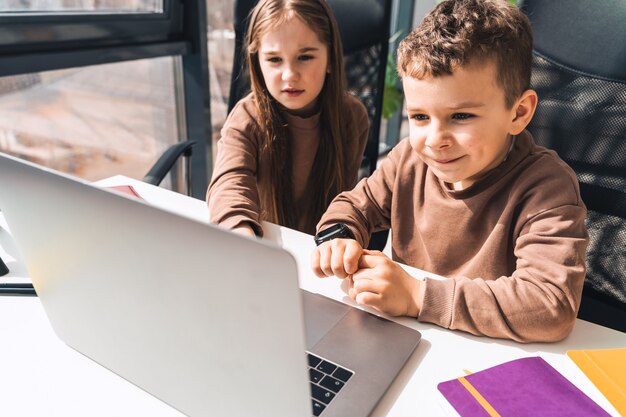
579	73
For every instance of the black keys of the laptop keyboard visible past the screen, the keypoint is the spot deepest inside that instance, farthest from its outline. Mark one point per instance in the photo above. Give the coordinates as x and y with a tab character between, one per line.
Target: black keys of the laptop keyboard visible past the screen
326	379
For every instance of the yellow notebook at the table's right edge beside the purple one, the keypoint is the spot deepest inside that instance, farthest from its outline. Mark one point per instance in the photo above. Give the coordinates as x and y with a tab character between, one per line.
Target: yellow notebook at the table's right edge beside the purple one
606	368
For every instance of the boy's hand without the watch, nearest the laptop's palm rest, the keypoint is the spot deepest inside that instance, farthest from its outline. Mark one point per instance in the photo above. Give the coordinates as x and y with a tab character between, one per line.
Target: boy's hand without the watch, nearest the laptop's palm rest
384	285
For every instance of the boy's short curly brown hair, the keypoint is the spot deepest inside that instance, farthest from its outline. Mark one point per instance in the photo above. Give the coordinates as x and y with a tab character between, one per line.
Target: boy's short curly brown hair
456	32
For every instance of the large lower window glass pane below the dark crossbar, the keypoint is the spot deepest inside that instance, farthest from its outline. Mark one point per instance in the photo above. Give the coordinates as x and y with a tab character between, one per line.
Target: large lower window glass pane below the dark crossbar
93	122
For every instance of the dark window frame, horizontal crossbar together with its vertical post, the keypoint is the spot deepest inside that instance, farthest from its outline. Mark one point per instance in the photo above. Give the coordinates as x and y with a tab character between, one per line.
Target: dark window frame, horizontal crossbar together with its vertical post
43	41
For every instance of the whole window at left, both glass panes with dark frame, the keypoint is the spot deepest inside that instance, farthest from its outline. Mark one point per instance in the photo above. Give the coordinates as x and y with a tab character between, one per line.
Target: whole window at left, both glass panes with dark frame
54	58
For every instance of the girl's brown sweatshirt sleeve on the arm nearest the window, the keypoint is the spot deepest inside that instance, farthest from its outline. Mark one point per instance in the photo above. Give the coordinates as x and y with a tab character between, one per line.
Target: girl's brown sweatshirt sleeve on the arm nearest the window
232	196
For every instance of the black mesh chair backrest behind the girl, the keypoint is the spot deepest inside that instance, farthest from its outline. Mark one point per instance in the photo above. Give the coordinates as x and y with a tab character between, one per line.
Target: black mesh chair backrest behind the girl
364	28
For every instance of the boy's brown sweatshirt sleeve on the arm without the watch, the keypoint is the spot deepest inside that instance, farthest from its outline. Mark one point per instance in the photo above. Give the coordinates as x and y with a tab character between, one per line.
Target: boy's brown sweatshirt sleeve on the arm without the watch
539	301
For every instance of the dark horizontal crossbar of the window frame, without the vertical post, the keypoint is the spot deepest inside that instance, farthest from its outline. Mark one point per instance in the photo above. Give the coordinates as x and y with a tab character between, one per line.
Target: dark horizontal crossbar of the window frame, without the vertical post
42	41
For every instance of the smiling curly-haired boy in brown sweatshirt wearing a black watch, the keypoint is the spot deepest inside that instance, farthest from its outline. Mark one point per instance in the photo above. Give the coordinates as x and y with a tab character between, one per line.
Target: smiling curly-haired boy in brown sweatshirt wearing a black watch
468	195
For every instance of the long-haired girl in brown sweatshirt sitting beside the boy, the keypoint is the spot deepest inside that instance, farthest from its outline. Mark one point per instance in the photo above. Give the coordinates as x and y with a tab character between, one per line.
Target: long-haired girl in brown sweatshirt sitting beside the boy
296	141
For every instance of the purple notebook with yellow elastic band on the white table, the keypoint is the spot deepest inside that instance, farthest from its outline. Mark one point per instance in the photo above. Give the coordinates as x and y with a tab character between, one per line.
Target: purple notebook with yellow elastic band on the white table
523	387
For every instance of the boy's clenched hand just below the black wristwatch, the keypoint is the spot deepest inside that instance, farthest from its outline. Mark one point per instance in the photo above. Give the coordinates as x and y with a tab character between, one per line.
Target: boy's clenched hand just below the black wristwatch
338	257
